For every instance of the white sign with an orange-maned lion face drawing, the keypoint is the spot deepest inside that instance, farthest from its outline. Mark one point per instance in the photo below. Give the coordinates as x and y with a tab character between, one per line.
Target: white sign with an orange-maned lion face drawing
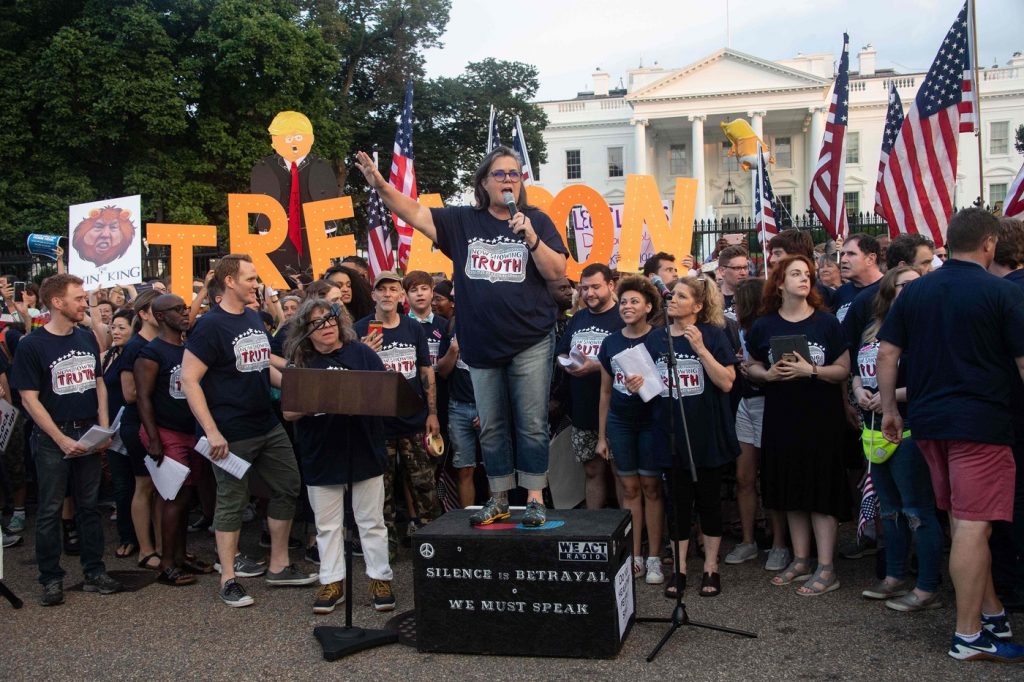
106	242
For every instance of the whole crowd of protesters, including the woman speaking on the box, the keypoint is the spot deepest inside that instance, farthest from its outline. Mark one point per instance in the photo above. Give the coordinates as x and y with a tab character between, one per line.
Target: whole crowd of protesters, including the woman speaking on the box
903	369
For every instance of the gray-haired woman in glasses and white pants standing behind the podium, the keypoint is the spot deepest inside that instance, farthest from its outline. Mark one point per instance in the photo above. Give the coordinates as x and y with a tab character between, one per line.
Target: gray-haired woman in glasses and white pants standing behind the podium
321	337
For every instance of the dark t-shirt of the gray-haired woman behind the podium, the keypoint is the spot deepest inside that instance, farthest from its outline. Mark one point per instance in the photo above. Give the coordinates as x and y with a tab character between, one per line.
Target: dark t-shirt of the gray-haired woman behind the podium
327	443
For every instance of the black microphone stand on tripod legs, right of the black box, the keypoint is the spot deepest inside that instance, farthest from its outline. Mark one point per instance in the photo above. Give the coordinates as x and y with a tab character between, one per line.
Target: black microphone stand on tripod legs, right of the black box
679	616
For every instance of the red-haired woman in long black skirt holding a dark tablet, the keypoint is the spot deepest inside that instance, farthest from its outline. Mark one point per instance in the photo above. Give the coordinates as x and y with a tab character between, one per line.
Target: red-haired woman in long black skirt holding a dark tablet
802	470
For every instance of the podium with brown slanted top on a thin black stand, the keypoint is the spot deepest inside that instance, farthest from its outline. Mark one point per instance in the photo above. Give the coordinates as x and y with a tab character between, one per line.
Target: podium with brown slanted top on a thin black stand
354	394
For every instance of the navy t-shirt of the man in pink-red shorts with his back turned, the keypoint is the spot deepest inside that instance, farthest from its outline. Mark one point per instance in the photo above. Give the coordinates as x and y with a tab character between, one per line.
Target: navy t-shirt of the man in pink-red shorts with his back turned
963	328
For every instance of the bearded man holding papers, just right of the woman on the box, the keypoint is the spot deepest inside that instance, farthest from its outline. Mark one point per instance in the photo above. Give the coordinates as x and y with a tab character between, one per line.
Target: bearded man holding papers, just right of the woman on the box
578	357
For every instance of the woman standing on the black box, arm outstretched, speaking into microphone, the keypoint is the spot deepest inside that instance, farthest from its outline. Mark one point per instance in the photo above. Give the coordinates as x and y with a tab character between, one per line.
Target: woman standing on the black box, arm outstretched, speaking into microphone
504	253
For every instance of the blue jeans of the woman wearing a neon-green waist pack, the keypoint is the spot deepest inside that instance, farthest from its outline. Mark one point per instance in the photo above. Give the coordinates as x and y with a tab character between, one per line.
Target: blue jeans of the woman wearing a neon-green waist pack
908	503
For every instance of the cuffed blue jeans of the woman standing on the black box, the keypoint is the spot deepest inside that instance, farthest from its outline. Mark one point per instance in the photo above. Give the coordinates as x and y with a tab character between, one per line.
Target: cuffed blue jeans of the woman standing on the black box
516	394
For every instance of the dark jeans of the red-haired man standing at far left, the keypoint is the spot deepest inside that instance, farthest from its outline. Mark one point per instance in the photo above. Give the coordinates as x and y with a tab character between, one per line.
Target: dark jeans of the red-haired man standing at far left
54	474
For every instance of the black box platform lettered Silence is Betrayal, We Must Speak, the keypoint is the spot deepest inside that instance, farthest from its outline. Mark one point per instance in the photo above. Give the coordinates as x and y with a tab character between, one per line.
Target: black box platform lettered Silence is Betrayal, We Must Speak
563	590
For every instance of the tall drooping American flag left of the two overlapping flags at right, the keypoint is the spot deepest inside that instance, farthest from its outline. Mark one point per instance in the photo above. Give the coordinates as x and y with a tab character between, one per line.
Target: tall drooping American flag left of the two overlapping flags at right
829	183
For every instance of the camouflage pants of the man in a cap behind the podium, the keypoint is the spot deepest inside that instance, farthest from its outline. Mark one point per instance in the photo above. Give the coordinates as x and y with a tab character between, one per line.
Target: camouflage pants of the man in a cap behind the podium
419	477
